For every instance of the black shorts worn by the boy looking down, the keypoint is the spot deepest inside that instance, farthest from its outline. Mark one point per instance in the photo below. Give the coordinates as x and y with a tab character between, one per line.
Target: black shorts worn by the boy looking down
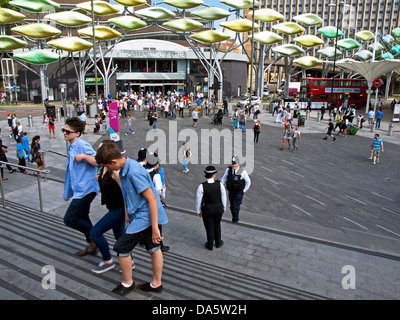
127	242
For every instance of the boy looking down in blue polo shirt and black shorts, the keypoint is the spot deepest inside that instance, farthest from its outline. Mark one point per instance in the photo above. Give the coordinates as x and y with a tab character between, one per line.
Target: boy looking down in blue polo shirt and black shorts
145	213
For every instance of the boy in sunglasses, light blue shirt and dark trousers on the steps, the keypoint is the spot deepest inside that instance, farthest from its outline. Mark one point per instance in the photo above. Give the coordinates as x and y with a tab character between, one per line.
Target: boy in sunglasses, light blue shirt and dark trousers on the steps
80	182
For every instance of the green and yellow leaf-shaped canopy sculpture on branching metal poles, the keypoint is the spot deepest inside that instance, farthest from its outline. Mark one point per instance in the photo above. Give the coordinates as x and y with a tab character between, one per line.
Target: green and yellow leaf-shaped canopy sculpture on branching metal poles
288	40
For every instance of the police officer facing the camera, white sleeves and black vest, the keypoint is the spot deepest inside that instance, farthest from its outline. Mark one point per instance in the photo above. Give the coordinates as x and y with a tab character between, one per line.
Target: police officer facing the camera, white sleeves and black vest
237	182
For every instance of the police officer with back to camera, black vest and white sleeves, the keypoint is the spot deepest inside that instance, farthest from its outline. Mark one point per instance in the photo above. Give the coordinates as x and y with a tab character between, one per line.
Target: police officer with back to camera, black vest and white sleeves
211	205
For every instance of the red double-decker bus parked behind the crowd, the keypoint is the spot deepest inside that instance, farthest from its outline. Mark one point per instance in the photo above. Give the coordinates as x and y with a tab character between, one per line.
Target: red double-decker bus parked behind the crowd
345	91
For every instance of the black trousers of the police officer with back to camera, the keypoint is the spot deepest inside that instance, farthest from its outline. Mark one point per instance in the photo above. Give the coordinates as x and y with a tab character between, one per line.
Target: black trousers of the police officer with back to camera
212	215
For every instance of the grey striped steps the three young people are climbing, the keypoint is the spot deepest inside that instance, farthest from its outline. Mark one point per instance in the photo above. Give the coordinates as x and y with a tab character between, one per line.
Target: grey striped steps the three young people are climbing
30	240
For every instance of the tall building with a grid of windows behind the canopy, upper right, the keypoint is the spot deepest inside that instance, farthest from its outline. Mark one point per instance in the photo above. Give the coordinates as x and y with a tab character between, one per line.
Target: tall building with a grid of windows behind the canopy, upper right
377	16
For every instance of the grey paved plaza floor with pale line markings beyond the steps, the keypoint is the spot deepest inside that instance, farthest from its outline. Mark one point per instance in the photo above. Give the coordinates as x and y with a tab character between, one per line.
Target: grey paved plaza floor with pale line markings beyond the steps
309	220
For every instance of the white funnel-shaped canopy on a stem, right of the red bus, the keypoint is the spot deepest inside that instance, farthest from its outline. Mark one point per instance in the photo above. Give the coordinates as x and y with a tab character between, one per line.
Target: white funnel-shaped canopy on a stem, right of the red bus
370	70
